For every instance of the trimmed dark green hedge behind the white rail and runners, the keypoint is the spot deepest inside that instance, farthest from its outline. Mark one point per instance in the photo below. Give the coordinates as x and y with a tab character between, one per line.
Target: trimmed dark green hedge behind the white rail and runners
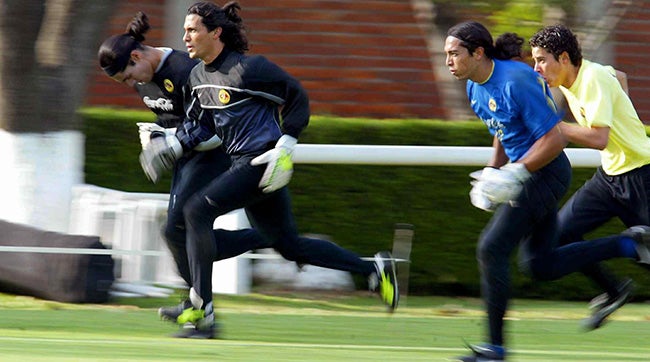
359	205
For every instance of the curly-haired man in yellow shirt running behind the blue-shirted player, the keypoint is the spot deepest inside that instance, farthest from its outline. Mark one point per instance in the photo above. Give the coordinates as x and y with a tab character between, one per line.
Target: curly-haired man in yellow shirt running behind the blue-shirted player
608	122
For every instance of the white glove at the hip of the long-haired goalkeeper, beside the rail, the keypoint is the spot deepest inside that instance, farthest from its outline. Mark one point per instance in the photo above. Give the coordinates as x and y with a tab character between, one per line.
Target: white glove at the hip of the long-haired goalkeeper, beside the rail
279	166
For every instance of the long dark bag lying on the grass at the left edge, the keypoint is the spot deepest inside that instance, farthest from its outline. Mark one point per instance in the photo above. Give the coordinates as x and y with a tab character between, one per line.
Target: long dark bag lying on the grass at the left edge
71	278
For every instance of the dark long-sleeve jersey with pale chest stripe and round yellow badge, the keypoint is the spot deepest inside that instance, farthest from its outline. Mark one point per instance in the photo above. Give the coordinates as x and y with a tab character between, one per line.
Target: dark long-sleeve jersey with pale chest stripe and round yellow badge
248	101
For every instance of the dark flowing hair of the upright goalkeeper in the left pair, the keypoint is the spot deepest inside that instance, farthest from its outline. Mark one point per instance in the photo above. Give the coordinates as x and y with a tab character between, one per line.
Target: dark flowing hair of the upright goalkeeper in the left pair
233	31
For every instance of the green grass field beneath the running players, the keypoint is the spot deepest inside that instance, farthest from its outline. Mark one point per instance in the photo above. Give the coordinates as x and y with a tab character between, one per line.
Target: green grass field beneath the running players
313	327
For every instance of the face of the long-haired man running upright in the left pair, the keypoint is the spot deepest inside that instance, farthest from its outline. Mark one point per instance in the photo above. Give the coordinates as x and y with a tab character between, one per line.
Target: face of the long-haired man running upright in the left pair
200	43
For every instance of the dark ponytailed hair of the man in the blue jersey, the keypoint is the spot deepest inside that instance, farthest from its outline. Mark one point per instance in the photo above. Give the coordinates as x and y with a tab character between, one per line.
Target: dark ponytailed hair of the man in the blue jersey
474	35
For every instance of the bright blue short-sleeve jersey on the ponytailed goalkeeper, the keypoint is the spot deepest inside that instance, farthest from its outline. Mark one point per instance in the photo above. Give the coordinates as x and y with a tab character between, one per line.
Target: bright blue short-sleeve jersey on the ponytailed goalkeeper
516	105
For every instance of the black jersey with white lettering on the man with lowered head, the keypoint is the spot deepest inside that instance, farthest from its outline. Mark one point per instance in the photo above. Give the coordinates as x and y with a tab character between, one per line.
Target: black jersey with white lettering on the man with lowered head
164	94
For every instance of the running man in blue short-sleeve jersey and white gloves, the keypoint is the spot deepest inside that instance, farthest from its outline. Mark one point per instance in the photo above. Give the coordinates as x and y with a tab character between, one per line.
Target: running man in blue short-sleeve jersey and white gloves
525	179
